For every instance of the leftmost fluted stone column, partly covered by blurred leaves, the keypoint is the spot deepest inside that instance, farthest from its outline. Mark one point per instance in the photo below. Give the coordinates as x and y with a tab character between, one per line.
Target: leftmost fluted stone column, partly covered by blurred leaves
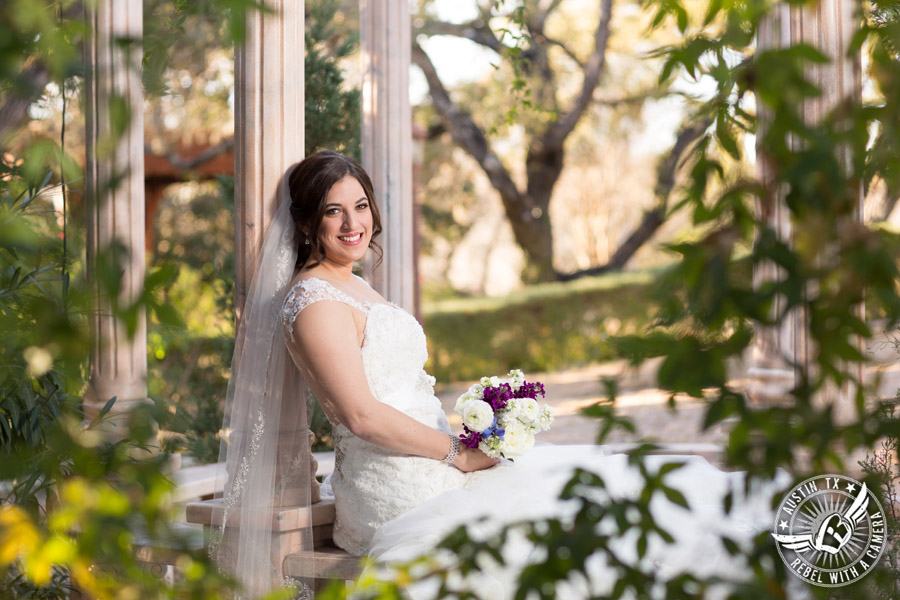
114	174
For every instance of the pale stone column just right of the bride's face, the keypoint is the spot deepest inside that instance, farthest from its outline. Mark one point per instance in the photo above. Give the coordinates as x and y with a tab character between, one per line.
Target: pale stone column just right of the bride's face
387	142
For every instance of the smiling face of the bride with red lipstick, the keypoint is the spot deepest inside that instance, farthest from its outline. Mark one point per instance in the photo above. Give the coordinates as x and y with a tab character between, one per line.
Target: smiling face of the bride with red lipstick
347	225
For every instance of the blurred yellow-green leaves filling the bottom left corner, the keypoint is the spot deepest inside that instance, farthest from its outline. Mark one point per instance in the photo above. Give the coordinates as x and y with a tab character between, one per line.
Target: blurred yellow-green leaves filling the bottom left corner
102	499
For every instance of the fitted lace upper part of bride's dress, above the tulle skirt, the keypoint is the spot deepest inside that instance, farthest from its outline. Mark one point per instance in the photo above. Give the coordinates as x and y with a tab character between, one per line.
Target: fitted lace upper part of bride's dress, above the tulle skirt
373	485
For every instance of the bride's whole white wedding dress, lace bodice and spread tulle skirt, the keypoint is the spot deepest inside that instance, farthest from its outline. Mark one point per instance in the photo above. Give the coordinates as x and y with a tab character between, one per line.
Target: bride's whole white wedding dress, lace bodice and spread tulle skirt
394	506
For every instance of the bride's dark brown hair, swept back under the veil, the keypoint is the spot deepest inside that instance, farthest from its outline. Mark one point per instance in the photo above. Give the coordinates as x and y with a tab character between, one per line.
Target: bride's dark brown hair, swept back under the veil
309	183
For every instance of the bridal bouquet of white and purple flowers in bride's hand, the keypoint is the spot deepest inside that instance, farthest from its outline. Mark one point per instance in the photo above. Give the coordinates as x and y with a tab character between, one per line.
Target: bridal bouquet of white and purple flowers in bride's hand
501	415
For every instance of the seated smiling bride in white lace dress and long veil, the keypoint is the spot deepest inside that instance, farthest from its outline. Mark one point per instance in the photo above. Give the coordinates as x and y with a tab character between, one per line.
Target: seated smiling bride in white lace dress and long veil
401	479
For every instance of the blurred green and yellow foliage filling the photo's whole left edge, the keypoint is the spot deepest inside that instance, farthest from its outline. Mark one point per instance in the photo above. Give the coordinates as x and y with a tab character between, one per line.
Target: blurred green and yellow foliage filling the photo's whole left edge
74	504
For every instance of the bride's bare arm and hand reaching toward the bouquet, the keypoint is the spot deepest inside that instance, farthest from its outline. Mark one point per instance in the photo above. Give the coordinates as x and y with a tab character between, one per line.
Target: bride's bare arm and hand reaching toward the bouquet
326	348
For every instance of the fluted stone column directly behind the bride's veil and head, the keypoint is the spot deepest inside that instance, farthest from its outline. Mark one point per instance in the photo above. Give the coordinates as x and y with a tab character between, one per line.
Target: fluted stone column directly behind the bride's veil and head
268	131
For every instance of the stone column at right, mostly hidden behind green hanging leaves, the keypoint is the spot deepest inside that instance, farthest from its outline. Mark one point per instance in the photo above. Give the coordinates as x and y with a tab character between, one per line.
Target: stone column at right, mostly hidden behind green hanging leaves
828	25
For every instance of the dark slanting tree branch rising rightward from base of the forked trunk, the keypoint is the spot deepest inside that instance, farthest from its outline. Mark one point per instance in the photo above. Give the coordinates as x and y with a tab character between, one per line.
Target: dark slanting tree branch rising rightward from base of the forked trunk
653	218
